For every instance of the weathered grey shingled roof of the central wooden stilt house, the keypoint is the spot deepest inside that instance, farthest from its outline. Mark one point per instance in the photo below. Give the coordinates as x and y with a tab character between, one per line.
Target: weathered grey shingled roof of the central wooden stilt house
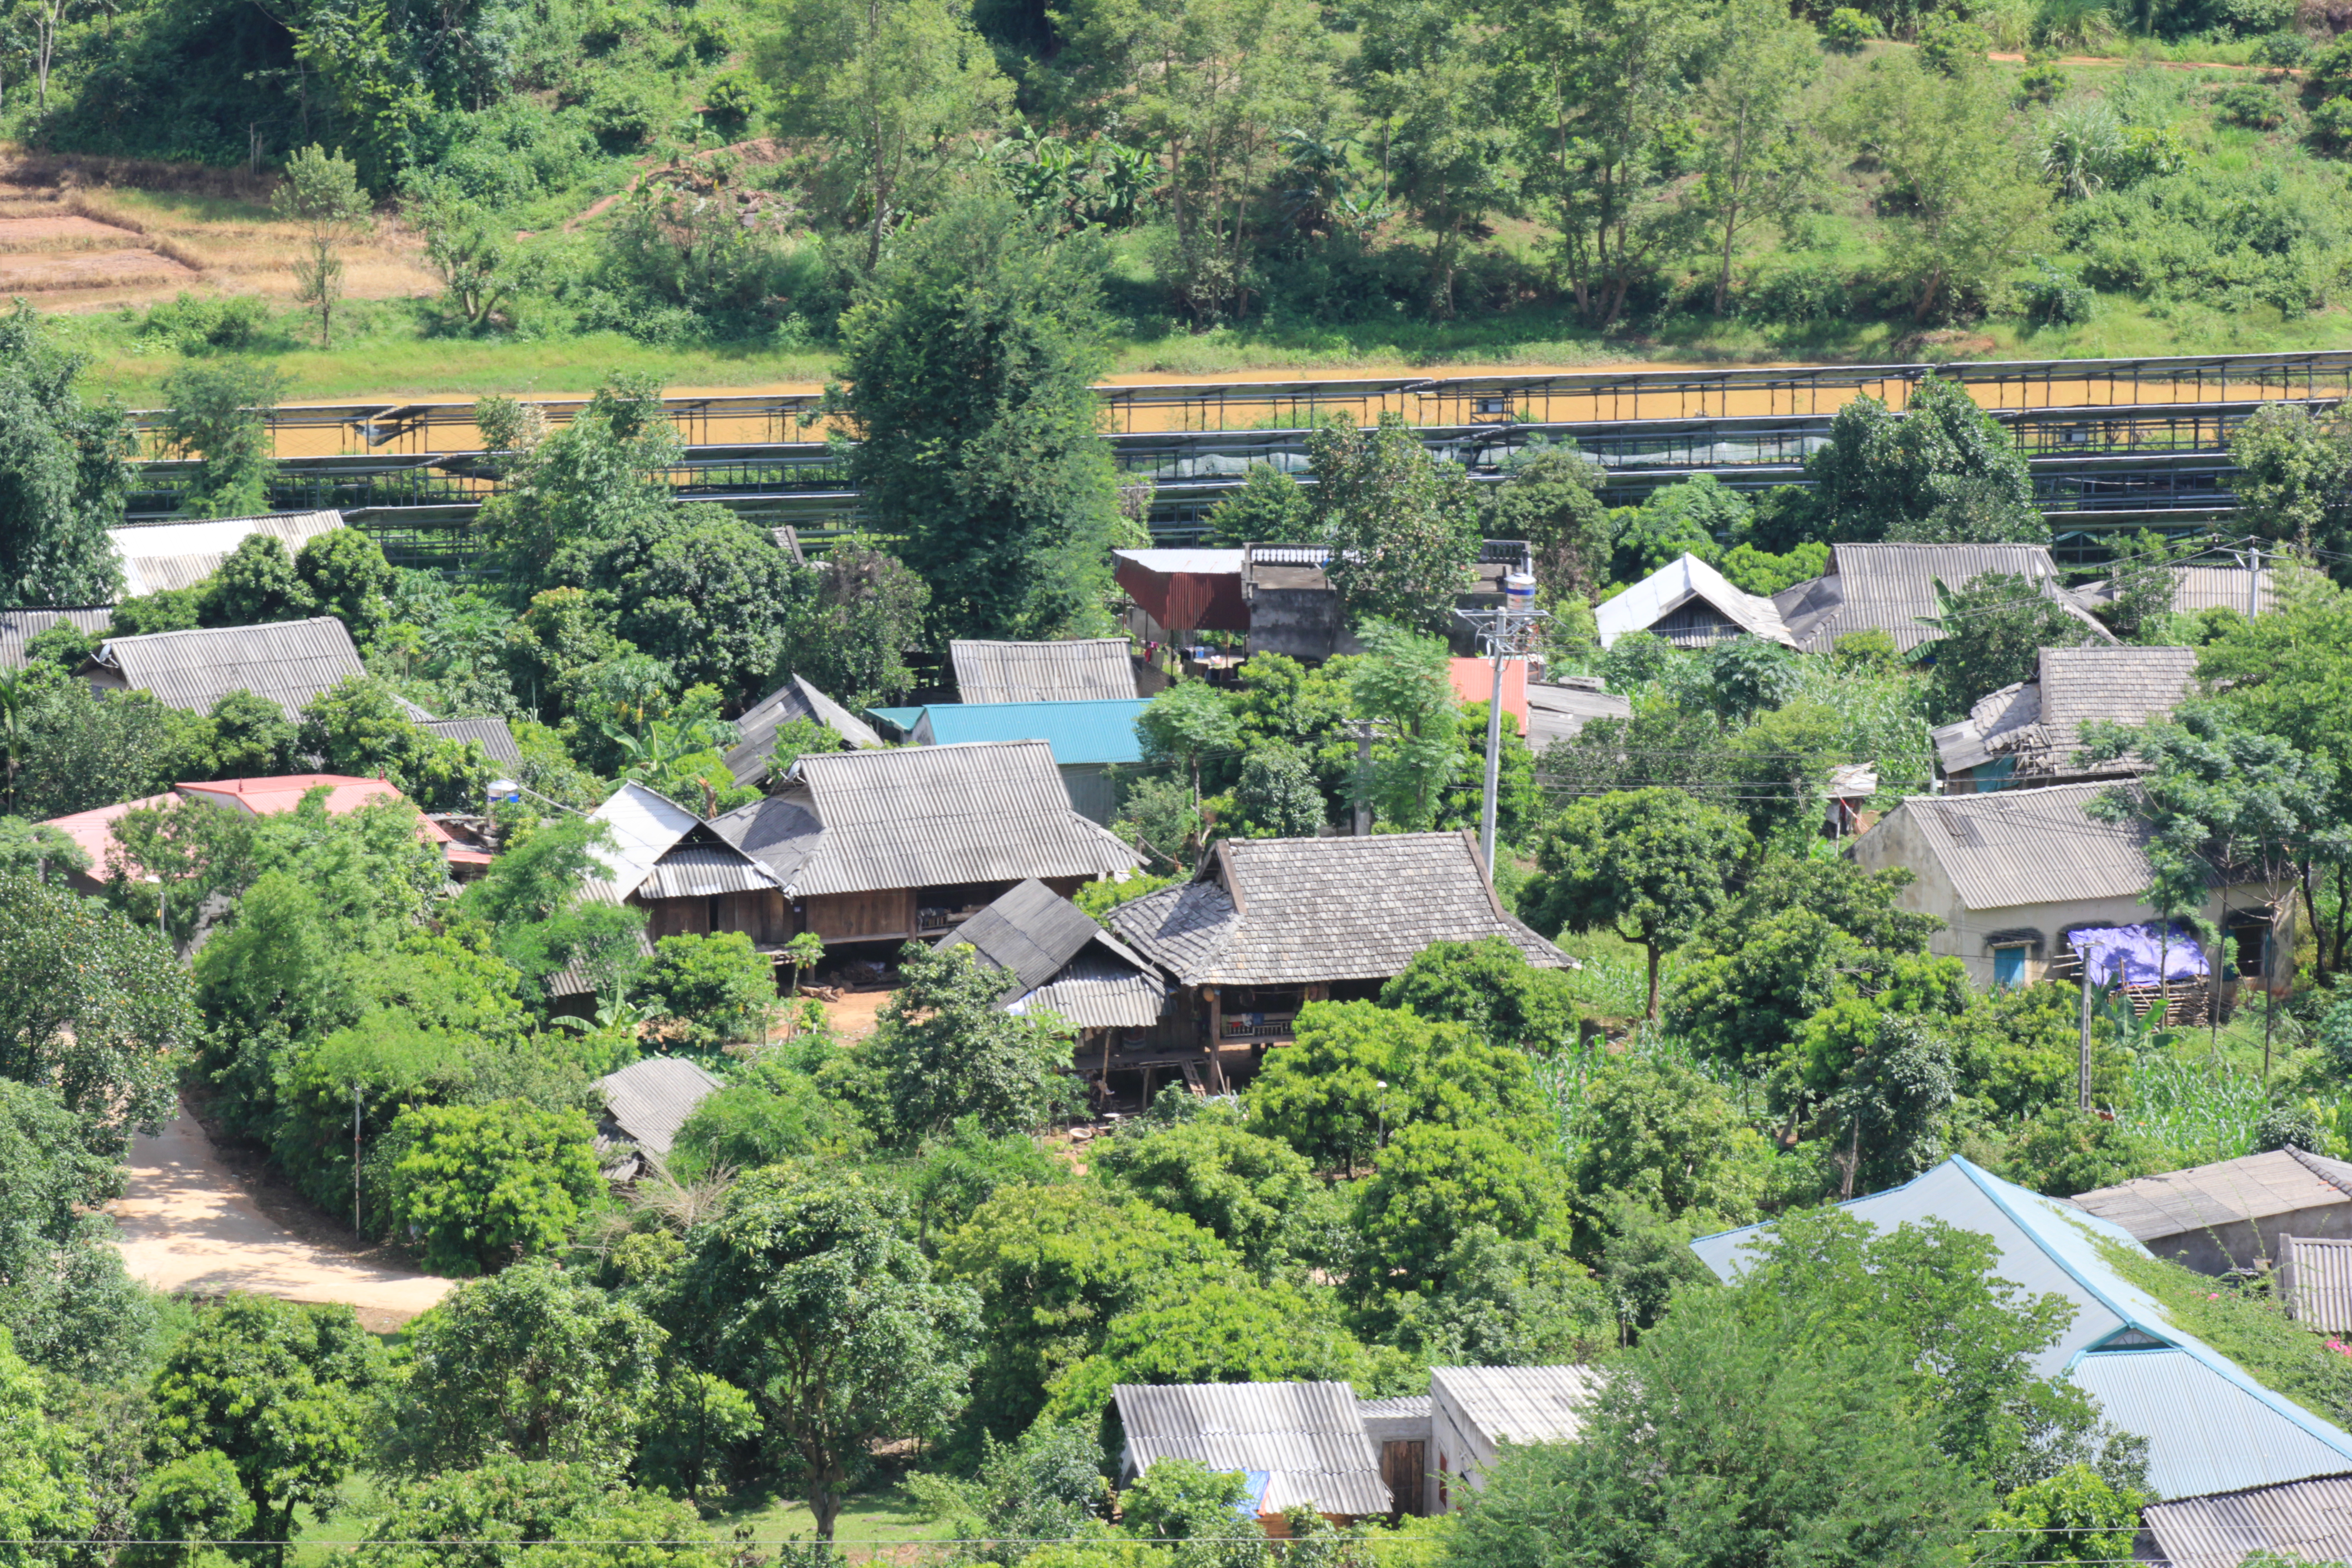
1304	911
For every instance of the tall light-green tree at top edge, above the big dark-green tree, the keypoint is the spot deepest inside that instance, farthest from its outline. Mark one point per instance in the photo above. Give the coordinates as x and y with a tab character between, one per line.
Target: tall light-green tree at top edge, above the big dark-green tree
893	88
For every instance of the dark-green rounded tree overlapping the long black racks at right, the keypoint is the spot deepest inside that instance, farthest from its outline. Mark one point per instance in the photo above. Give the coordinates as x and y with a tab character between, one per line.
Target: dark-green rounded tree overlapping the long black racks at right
1942	471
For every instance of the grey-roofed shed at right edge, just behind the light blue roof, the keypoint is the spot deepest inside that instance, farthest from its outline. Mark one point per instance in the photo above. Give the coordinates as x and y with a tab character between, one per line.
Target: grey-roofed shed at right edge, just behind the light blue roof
2233	1214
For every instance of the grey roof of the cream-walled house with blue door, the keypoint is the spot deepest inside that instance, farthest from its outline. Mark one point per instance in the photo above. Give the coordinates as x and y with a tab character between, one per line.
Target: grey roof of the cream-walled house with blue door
2024	847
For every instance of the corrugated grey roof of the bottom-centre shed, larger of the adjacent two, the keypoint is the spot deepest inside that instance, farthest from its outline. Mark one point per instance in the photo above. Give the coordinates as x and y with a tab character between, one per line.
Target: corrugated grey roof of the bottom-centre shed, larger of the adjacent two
1304	1438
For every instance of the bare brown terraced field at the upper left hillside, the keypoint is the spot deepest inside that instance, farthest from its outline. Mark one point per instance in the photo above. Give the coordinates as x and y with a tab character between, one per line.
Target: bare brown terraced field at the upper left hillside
102	234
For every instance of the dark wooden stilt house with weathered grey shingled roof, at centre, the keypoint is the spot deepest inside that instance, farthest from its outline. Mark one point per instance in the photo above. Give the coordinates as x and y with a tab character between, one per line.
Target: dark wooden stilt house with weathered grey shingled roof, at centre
1269	925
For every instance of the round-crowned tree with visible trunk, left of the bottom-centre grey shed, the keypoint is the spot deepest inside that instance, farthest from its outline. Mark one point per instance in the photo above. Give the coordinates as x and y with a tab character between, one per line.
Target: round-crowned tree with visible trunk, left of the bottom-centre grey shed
808	1299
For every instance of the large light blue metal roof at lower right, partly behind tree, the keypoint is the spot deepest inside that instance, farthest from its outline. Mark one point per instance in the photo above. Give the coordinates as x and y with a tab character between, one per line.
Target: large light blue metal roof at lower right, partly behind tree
2207	1423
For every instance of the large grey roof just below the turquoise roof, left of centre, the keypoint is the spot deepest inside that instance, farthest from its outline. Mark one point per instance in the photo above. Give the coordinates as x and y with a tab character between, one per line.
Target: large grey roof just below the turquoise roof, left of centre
923	817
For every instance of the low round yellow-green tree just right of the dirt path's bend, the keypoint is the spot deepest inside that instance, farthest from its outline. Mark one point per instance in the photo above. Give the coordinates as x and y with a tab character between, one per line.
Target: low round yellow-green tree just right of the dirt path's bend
488	1184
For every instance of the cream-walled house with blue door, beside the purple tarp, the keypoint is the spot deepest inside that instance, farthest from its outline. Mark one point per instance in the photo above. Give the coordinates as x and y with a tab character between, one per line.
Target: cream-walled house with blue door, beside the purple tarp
2017	873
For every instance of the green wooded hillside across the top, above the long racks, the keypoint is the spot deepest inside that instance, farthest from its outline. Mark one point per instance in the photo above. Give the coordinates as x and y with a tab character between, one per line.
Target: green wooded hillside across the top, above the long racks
1732	175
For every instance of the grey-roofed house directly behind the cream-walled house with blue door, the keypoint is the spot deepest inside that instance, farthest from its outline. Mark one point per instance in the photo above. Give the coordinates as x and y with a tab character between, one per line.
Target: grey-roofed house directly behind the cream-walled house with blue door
2031	732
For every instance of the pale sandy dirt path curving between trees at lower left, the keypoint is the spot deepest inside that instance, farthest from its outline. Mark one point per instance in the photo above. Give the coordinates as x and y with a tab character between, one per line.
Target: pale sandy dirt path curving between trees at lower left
192	1231
